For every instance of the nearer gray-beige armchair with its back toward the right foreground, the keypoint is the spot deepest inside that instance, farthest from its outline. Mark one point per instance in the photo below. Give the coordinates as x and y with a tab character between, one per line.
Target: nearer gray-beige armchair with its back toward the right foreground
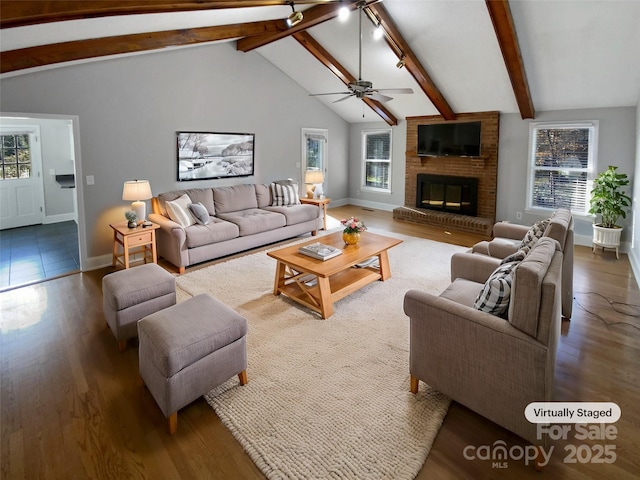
494	366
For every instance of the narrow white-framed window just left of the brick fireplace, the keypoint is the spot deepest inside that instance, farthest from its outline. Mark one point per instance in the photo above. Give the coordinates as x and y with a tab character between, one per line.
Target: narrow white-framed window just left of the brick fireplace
376	160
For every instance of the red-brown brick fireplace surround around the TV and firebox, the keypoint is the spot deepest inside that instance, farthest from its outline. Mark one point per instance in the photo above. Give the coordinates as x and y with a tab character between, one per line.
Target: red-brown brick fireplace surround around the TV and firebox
484	168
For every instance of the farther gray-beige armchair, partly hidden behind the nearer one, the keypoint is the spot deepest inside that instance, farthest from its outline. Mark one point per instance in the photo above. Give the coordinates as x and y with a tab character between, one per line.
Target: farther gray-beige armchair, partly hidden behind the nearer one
507	238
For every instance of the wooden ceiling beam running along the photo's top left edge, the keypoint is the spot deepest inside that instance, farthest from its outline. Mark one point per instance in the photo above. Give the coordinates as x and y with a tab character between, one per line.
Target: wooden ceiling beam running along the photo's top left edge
19	13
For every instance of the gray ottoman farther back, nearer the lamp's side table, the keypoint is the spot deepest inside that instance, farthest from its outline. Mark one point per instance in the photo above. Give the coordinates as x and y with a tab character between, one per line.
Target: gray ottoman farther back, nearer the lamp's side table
132	294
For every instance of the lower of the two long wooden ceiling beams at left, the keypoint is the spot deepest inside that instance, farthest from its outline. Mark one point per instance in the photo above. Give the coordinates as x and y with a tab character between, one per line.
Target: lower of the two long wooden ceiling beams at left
39	56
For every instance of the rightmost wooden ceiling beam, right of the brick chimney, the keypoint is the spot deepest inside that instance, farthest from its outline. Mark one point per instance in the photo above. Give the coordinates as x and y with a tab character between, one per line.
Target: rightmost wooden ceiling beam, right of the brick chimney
502	20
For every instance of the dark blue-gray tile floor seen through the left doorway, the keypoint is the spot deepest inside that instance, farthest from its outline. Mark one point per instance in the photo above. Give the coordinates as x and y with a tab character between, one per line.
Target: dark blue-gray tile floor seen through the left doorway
38	252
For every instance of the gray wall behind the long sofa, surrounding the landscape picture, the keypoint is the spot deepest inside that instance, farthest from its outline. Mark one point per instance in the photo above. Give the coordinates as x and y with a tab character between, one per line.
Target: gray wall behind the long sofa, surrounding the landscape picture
129	109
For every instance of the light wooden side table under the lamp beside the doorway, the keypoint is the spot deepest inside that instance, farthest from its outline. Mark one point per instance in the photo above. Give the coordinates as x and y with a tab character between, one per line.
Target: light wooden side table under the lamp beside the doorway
133	240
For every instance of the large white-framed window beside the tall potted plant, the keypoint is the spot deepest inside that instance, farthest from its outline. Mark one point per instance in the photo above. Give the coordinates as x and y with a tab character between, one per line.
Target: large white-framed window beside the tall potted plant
562	159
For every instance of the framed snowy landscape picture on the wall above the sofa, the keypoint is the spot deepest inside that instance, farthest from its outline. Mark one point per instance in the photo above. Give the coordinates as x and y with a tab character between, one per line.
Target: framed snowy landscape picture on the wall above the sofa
207	155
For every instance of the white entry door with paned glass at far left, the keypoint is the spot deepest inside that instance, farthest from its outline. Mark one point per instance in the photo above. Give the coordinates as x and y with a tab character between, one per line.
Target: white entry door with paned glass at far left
21	187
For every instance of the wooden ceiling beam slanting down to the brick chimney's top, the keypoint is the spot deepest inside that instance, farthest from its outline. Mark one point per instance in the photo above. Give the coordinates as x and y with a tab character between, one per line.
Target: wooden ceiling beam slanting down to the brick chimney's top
399	45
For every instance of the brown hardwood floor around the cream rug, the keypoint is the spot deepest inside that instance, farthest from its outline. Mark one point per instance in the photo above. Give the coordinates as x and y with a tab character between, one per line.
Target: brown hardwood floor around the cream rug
72	406
